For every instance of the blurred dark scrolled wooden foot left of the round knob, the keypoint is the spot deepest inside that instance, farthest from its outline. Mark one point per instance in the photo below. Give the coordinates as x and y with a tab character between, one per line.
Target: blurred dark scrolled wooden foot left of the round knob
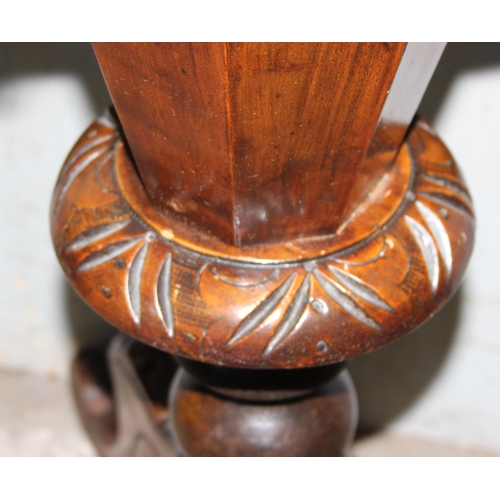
120	392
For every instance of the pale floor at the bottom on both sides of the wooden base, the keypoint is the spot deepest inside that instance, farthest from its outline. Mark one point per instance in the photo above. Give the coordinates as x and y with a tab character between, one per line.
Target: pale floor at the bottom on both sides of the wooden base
38	418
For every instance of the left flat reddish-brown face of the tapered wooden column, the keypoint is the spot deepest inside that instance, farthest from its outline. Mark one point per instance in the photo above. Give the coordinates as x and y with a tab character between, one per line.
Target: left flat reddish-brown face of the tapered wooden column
172	100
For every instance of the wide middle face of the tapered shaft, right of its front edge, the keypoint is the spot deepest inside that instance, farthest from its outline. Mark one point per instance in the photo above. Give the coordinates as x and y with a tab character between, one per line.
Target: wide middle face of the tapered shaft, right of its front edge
302	115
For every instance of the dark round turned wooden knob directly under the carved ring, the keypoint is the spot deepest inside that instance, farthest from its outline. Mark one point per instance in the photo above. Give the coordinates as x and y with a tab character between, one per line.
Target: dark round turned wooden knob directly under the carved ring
208	422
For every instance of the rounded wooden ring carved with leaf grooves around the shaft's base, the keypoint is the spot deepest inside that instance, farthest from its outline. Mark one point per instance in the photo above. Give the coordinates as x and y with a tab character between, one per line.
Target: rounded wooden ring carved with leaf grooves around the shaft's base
395	261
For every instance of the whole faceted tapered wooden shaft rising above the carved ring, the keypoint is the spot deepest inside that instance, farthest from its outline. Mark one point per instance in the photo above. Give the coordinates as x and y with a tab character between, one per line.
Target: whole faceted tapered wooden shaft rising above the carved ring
263	142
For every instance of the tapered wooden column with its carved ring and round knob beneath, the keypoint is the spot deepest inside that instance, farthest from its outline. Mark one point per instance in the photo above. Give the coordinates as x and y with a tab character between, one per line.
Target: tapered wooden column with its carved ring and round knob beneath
264	211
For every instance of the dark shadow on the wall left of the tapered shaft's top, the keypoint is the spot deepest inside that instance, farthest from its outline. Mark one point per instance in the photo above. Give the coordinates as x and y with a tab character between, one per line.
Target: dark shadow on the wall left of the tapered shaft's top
77	59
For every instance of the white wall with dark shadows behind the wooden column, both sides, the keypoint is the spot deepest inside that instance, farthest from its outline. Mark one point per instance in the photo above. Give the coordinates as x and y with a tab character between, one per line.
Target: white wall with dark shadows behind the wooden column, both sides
441	382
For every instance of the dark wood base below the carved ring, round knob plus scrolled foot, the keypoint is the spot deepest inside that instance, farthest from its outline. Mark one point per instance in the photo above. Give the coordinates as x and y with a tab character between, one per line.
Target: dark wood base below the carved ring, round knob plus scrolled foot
130	406
